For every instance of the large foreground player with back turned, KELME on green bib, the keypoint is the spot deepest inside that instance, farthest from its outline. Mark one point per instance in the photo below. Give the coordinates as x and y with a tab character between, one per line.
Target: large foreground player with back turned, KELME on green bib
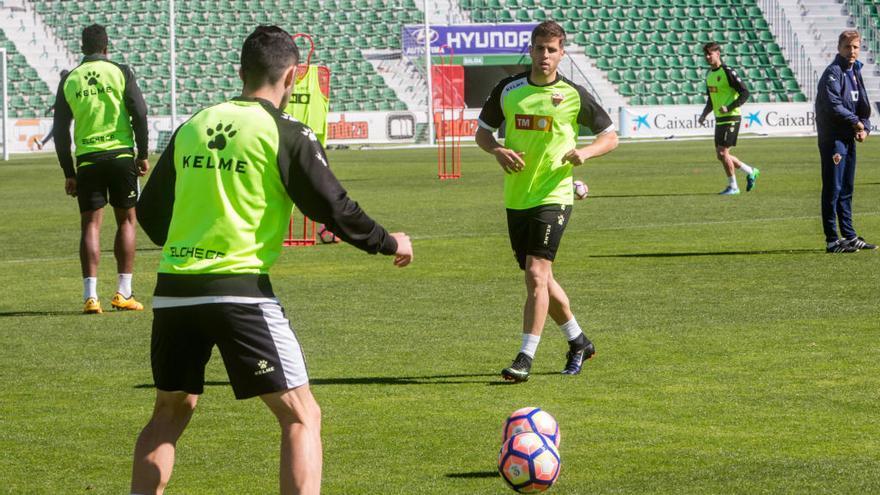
219	203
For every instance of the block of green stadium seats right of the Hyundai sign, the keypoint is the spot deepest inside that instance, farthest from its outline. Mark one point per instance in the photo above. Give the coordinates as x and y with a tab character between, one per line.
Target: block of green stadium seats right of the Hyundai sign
651	50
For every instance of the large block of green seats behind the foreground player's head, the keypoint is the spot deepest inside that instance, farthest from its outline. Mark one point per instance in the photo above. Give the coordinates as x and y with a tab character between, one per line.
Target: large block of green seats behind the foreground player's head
209	37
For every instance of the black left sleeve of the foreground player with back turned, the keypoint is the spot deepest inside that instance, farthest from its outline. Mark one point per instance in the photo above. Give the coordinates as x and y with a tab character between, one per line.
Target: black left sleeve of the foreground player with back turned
156	203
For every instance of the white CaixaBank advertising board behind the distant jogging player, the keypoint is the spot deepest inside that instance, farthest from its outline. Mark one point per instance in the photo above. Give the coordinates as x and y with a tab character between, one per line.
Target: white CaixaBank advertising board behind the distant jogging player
683	120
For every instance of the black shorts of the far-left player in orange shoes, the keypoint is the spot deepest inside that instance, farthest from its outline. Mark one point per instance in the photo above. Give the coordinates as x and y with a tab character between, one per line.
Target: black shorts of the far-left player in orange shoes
116	176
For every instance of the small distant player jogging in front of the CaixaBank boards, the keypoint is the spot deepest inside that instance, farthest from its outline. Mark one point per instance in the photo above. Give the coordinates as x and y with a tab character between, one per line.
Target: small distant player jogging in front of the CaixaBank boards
725	93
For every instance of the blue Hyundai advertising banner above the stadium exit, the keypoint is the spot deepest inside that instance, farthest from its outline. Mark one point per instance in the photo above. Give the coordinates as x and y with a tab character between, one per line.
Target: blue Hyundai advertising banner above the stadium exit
468	39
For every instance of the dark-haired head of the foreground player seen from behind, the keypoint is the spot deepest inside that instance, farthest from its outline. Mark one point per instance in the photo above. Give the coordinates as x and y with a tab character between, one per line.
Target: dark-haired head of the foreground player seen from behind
266	53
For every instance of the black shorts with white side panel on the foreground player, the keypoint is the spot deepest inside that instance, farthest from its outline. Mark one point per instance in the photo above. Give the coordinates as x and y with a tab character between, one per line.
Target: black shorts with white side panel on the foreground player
259	348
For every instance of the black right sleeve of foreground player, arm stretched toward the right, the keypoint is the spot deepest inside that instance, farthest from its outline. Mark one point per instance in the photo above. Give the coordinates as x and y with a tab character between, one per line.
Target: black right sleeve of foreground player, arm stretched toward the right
320	196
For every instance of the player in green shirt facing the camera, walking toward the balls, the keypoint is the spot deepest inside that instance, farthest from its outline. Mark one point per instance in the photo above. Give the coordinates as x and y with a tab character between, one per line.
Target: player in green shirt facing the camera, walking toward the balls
543	112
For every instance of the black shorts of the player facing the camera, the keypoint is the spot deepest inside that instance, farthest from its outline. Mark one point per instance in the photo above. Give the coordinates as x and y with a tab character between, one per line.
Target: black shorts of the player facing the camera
537	231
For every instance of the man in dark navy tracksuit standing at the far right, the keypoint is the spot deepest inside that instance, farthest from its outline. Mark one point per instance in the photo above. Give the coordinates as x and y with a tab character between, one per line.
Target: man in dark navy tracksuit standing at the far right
842	112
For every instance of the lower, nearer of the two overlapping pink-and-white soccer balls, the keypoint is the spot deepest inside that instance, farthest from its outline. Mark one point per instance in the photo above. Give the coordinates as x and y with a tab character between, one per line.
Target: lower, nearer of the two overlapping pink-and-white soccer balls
529	463
